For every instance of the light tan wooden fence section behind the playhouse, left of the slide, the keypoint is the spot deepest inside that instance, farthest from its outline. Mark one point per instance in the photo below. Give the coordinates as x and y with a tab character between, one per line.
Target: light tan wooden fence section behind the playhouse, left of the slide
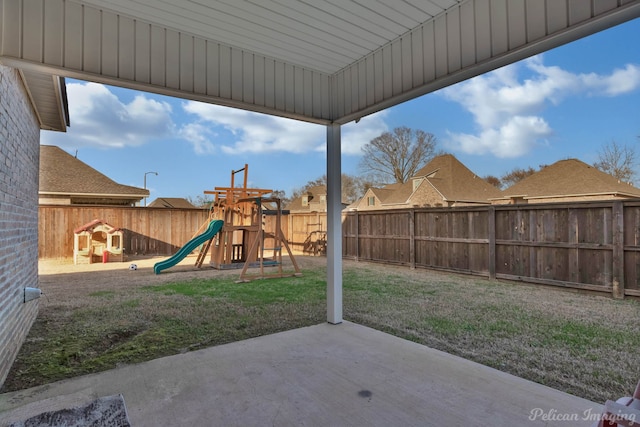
147	231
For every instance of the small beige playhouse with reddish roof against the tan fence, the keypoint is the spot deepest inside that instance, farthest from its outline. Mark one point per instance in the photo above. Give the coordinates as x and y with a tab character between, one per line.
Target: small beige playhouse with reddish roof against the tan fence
97	241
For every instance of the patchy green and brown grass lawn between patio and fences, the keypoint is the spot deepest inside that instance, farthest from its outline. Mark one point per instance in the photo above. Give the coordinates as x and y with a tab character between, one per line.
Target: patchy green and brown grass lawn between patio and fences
583	344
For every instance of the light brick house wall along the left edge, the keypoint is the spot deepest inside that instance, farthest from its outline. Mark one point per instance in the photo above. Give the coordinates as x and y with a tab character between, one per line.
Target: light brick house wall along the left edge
19	165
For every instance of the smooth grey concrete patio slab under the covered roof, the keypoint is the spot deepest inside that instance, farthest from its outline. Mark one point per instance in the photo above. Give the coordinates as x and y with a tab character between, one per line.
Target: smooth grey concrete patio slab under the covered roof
323	375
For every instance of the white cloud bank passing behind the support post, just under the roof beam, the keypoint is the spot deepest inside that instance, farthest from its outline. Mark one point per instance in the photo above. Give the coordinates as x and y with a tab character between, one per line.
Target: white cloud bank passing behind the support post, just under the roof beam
262	133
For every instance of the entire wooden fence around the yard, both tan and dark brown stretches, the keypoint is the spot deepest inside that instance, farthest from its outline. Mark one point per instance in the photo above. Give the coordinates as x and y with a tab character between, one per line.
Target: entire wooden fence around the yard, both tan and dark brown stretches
589	245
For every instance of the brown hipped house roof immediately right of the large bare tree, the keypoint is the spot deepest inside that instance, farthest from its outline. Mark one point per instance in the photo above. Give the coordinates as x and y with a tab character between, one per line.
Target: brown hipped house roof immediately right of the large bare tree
456	182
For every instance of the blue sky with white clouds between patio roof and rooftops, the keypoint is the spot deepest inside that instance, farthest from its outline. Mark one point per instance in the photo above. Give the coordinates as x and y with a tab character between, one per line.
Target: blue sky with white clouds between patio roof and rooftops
565	103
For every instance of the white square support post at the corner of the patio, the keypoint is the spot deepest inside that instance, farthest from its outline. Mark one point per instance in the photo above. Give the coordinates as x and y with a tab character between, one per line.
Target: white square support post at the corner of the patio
334	225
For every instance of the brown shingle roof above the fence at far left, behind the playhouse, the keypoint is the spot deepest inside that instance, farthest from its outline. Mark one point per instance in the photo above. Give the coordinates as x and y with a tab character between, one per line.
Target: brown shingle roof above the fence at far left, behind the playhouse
62	173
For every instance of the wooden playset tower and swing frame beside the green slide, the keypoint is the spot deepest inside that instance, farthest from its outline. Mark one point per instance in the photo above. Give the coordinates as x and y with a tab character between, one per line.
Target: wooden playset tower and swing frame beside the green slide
251	235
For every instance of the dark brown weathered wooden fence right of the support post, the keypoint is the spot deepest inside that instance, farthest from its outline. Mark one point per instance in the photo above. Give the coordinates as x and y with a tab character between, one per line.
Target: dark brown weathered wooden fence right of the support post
591	245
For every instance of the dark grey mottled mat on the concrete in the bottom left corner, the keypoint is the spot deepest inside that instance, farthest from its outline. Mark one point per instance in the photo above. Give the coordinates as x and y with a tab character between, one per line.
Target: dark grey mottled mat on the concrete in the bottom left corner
108	411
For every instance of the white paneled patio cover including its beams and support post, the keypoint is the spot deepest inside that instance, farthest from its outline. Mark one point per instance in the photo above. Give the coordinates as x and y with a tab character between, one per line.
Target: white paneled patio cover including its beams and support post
322	61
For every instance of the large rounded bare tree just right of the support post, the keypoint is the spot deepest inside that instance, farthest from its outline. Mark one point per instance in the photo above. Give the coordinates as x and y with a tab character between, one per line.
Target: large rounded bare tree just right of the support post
396	156
